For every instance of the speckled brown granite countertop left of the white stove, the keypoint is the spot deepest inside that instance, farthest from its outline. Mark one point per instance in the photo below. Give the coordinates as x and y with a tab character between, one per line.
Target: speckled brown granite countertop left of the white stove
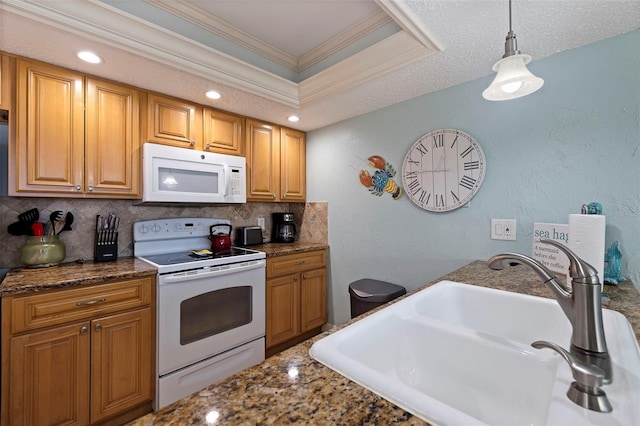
25	280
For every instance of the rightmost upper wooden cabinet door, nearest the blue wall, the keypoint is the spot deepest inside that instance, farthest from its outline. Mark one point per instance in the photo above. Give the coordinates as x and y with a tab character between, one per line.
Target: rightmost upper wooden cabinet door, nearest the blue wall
293	185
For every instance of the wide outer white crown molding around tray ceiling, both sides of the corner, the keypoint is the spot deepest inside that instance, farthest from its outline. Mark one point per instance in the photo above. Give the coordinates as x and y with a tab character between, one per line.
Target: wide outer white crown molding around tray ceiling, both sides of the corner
100	22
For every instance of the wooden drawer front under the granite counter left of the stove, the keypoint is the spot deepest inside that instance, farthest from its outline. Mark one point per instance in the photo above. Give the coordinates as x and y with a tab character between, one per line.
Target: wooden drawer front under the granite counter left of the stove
61	306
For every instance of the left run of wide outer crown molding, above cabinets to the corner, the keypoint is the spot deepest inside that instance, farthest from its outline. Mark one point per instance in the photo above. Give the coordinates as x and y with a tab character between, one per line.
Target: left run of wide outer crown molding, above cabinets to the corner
101	22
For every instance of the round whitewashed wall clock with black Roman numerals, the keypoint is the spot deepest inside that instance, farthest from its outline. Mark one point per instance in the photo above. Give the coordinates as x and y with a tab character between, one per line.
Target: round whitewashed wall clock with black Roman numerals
443	170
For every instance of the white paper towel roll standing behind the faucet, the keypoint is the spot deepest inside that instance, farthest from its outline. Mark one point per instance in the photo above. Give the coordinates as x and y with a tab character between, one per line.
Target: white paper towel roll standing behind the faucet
586	239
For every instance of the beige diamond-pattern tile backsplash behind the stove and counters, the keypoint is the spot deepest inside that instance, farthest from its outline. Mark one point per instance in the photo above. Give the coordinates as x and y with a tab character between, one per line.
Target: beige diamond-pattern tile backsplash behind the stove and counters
311	221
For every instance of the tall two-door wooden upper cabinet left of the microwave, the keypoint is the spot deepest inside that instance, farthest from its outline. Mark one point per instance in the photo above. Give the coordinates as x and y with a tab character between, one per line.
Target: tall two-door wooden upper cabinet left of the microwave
75	136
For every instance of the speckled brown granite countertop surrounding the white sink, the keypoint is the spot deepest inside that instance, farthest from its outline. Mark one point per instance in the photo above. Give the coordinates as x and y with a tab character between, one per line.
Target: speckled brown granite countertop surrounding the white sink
292	388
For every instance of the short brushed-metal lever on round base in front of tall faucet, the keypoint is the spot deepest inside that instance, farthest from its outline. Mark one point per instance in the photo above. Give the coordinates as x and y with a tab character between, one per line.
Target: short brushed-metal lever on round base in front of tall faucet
586	390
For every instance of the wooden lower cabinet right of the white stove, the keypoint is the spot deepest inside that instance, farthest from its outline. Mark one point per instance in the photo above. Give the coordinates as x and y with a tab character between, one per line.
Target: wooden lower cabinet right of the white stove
296	298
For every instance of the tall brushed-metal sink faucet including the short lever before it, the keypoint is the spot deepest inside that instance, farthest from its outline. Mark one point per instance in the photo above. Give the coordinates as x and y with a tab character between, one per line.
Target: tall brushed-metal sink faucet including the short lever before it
588	356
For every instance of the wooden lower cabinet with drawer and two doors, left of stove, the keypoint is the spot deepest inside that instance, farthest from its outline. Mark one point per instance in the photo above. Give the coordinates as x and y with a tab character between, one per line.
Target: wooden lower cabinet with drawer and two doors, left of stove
96	369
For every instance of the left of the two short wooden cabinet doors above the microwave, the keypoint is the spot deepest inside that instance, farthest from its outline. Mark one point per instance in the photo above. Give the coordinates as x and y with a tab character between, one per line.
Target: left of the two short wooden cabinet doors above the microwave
173	122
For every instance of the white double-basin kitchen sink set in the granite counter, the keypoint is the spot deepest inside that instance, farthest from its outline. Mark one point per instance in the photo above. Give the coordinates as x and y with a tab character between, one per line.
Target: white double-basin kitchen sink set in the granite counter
457	354
